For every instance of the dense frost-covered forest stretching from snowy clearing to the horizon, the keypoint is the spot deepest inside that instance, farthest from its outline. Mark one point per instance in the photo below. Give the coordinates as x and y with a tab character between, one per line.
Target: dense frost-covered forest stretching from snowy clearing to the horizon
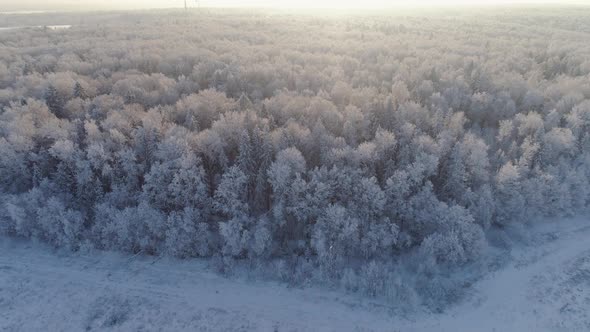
321	148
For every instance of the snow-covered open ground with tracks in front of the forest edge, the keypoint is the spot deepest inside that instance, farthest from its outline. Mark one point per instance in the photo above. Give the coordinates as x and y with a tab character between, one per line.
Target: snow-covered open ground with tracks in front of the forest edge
545	287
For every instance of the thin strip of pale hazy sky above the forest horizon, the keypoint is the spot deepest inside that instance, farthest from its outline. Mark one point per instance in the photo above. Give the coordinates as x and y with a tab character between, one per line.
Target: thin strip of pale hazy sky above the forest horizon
11	5
